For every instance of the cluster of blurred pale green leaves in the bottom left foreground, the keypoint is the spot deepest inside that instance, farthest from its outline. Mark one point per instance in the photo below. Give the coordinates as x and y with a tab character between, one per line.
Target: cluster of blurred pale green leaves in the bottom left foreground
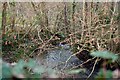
22	70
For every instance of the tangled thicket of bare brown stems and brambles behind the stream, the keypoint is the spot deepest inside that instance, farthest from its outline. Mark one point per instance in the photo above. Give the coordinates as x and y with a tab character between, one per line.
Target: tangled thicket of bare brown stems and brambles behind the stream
31	27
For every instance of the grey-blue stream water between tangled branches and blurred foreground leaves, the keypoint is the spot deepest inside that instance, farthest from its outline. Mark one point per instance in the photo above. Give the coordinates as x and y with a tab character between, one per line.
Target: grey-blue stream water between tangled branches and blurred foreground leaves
55	60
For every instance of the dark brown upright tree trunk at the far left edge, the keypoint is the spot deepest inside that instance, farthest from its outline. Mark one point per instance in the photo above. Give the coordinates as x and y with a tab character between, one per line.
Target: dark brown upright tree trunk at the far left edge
4	17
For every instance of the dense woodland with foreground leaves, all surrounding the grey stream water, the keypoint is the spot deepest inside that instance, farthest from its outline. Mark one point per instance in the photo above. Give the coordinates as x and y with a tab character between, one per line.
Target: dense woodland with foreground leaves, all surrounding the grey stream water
90	30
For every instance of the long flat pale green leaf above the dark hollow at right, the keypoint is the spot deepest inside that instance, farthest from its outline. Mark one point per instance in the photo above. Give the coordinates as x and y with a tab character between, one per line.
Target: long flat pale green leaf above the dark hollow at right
105	54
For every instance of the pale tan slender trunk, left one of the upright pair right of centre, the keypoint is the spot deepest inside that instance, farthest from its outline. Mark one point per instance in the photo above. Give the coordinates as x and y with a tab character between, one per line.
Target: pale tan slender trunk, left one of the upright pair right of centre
84	20
